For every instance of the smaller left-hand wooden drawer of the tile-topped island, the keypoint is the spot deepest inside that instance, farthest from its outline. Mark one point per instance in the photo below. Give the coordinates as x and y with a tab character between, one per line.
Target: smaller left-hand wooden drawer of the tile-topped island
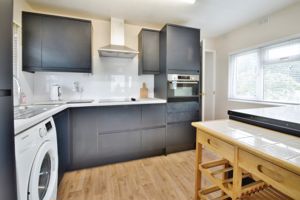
217	146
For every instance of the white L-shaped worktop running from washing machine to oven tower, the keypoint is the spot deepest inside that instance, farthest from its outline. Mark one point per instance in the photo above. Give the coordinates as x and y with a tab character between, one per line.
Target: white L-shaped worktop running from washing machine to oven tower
23	124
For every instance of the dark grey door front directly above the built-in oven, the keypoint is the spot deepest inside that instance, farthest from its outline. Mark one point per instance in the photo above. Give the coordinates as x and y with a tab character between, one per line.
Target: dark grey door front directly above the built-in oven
183	49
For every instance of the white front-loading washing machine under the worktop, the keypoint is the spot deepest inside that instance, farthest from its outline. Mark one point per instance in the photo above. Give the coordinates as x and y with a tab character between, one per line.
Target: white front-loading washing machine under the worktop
37	162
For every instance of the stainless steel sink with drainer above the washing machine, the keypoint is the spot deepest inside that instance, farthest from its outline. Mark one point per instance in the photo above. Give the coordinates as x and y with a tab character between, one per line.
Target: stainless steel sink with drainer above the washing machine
25	112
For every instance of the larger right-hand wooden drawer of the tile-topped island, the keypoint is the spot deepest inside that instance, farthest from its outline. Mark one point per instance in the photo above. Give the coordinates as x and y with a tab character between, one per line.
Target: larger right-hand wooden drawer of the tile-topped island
281	179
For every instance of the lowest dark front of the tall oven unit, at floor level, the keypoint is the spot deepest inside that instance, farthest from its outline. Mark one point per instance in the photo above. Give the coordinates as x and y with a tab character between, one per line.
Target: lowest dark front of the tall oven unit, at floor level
180	136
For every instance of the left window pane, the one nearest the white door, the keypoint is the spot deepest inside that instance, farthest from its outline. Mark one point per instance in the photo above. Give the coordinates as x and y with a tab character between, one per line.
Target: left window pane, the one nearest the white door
246	67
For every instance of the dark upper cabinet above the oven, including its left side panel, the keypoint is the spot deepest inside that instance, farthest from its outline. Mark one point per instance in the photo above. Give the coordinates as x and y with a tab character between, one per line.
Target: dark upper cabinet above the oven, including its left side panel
180	49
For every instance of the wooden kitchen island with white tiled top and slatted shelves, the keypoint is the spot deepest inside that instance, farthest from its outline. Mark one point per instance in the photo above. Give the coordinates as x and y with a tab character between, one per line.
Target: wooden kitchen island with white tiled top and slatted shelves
255	163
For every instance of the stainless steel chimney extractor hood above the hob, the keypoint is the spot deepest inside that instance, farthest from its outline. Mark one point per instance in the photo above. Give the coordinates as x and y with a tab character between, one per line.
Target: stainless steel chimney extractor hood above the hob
117	47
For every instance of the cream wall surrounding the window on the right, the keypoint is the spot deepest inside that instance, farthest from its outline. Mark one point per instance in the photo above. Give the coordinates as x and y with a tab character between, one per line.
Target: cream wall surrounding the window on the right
281	24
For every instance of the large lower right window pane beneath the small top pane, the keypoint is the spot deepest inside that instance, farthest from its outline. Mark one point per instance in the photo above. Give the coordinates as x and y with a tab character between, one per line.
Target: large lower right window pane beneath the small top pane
282	82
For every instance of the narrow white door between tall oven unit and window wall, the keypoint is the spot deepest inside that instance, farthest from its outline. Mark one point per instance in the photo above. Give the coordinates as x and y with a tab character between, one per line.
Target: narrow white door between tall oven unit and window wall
209	85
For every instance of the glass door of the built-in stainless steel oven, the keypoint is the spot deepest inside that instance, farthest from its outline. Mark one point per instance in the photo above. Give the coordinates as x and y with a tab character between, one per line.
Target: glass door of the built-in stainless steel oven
183	90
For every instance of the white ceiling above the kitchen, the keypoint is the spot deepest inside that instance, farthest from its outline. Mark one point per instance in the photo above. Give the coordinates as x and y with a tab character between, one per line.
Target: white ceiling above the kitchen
214	17
